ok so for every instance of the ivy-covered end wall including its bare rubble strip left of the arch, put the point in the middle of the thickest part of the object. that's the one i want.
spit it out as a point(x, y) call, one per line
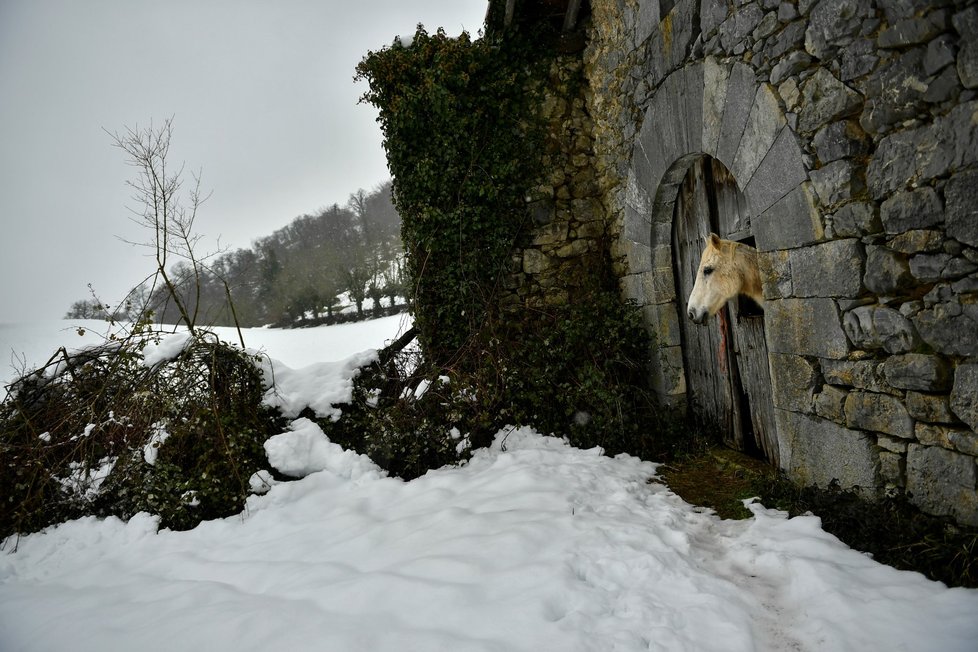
point(514, 293)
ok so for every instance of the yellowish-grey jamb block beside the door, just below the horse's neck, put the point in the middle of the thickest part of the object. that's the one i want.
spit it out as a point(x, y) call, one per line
point(805, 327)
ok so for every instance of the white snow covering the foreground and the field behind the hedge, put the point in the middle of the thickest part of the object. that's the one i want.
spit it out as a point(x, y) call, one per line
point(532, 545)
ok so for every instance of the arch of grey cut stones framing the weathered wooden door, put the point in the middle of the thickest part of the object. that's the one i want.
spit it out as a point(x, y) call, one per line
point(719, 110)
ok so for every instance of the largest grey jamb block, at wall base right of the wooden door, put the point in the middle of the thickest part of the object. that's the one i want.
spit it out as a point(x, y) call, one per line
point(822, 452)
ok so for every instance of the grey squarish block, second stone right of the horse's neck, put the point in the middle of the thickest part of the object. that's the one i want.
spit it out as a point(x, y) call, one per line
point(831, 269)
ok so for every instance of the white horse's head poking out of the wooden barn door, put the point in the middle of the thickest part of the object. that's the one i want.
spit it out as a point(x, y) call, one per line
point(726, 270)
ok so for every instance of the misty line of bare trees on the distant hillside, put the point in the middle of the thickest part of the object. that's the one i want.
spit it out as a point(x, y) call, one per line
point(340, 263)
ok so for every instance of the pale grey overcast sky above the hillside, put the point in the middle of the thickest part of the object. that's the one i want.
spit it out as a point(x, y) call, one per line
point(262, 99)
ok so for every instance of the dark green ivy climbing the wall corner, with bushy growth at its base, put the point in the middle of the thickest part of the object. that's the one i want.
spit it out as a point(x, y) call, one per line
point(465, 140)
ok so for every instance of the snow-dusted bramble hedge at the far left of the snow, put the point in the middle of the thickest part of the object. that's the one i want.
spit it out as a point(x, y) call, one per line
point(98, 432)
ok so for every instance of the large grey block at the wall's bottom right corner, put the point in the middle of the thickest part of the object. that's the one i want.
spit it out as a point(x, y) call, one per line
point(943, 482)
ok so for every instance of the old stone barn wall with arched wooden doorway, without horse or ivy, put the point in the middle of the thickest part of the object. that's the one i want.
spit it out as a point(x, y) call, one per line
point(841, 140)
